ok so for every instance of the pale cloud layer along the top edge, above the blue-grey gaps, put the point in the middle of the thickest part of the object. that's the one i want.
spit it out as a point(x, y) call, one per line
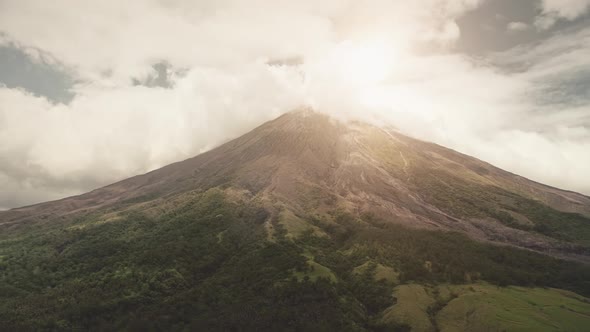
point(112, 41)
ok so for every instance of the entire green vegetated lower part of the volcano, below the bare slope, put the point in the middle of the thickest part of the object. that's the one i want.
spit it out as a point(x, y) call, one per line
point(207, 264)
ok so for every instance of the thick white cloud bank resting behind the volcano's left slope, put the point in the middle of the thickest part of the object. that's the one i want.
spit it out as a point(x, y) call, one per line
point(107, 134)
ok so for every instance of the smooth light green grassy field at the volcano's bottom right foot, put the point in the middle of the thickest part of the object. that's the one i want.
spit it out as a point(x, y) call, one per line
point(483, 307)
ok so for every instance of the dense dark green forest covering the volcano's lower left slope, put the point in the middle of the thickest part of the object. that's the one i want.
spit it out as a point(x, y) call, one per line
point(172, 272)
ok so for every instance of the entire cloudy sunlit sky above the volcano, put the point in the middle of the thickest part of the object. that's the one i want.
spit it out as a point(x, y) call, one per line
point(92, 92)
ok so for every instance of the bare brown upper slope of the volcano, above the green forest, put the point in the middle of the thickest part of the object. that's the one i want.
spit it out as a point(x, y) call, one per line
point(311, 164)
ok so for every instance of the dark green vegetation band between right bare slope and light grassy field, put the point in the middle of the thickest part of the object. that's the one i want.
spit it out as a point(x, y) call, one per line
point(434, 256)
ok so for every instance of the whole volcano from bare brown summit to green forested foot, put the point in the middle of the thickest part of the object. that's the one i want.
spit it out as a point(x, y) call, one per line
point(305, 223)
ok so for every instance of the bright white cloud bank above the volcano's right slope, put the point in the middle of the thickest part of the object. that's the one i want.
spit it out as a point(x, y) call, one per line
point(525, 110)
